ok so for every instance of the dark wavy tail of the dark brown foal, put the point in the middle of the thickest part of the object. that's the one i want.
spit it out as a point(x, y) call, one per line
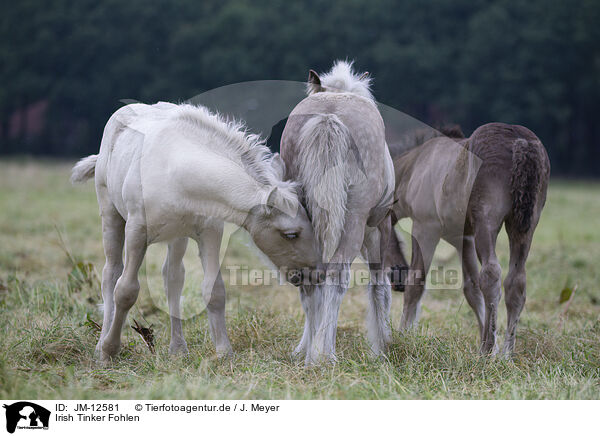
point(525, 181)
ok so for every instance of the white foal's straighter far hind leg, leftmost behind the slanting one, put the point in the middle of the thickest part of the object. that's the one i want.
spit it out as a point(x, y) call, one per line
point(113, 227)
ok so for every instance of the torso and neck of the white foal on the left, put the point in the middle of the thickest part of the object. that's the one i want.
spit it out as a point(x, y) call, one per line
point(172, 165)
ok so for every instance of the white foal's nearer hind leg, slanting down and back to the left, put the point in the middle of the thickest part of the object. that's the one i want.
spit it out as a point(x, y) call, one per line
point(128, 285)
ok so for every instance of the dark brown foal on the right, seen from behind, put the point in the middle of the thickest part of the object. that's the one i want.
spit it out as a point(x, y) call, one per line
point(463, 190)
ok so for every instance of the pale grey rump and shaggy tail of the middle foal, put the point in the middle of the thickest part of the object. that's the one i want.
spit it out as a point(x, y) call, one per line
point(341, 159)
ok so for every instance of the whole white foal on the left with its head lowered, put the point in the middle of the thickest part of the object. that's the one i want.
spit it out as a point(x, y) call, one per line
point(171, 172)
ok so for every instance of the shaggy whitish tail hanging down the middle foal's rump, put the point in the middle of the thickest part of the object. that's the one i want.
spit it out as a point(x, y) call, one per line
point(325, 143)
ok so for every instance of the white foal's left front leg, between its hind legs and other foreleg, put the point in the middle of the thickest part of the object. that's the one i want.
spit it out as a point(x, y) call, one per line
point(173, 276)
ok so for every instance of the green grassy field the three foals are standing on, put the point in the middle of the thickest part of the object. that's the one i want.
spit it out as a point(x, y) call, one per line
point(50, 232)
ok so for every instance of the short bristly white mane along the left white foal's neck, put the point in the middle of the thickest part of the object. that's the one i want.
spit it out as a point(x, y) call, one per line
point(233, 141)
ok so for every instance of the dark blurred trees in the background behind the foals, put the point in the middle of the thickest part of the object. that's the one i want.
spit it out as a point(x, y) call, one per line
point(65, 64)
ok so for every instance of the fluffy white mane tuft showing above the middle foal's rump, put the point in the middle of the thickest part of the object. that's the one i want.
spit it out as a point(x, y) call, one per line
point(342, 78)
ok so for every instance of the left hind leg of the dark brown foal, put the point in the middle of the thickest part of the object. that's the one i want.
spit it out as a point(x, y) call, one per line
point(489, 282)
